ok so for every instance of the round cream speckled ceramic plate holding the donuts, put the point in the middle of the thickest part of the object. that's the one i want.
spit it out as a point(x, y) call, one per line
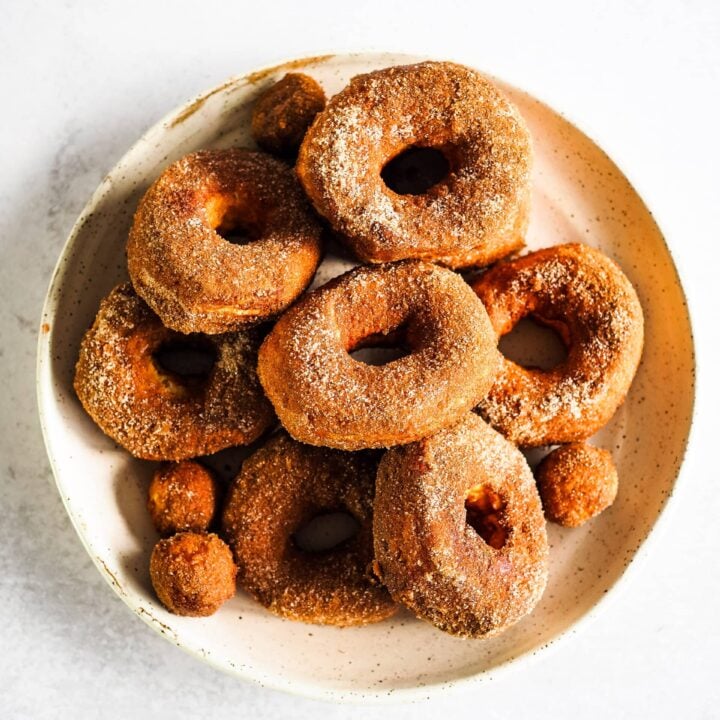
point(579, 195)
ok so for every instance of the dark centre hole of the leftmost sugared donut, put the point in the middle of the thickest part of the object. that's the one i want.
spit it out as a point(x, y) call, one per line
point(187, 360)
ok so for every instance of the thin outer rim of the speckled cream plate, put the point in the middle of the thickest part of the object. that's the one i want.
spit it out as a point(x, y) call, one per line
point(316, 690)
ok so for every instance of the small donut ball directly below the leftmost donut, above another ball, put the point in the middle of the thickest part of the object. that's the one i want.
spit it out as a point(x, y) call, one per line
point(182, 496)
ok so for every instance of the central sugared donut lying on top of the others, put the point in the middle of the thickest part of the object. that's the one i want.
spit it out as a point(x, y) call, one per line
point(323, 396)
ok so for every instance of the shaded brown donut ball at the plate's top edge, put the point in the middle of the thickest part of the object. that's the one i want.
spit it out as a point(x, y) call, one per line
point(284, 112)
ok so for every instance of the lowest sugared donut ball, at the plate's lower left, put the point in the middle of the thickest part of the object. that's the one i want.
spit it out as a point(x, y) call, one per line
point(193, 573)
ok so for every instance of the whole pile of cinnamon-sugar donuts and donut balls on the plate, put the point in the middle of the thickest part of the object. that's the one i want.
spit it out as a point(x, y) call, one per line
point(421, 172)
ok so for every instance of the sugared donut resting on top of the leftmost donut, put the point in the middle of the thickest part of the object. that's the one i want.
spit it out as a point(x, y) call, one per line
point(195, 279)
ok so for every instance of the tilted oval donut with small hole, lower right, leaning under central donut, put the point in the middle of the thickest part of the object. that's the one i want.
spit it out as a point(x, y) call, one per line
point(460, 537)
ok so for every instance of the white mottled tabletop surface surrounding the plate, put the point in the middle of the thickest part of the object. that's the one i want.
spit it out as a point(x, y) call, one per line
point(80, 81)
